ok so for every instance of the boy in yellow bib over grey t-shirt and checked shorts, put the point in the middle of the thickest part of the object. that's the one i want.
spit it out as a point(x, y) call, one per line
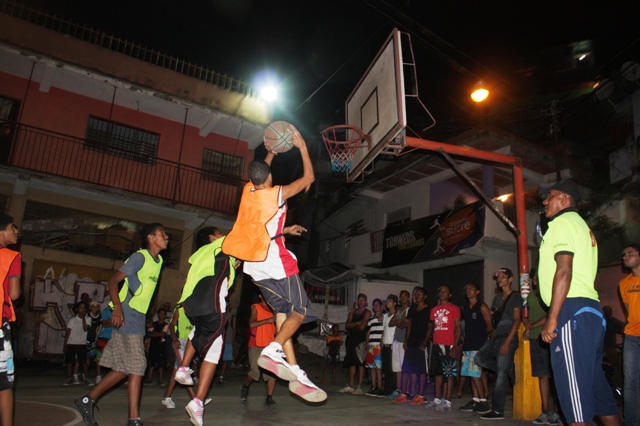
point(124, 353)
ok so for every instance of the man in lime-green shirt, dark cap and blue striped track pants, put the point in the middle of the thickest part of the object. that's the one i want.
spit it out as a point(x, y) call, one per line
point(575, 323)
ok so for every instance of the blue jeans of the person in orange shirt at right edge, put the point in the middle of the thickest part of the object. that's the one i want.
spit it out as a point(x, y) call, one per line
point(631, 369)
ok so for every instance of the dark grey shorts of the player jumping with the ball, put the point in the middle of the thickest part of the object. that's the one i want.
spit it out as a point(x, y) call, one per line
point(287, 295)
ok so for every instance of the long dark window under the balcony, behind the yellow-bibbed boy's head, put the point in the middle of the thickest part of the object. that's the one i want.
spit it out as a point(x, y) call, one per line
point(61, 228)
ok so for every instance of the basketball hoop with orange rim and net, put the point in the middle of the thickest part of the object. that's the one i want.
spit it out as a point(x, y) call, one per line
point(342, 142)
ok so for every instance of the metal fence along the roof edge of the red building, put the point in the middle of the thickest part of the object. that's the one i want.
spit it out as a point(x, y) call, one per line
point(116, 44)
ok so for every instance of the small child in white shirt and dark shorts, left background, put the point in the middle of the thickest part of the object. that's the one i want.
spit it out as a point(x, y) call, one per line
point(75, 345)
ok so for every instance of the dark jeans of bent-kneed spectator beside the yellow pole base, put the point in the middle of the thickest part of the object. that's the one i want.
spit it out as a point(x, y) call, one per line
point(489, 357)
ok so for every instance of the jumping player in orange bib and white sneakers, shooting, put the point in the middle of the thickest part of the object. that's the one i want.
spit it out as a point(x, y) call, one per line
point(257, 237)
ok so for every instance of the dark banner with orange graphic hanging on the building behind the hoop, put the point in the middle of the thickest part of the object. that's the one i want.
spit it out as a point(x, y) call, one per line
point(434, 236)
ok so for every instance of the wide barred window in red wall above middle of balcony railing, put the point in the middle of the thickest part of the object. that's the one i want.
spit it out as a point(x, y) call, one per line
point(122, 141)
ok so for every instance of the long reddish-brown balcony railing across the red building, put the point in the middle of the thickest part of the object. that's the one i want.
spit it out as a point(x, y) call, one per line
point(56, 154)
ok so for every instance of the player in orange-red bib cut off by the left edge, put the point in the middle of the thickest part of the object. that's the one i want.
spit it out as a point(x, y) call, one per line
point(10, 271)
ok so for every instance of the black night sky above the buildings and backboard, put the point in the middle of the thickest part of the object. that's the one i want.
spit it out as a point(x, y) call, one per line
point(319, 49)
